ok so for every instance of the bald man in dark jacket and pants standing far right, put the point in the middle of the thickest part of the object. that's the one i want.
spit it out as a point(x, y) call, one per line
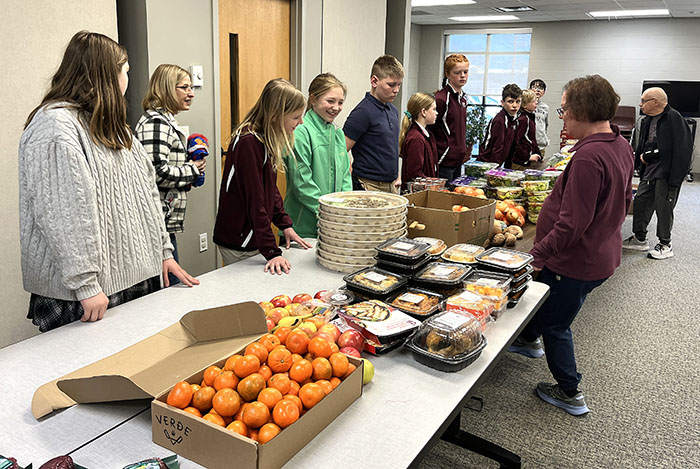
point(664, 148)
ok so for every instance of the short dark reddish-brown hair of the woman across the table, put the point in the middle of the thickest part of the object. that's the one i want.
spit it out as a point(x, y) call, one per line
point(591, 99)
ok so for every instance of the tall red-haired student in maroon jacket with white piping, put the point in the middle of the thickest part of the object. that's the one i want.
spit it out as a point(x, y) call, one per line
point(450, 128)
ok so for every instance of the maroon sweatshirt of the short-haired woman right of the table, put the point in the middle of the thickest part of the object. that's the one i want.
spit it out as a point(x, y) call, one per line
point(579, 227)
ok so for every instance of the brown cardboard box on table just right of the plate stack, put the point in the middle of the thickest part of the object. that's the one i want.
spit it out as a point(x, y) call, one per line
point(434, 210)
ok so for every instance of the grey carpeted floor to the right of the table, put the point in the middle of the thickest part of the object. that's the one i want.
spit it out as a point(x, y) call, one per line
point(637, 348)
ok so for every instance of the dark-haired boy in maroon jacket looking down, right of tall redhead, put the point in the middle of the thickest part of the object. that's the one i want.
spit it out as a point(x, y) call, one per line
point(500, 133)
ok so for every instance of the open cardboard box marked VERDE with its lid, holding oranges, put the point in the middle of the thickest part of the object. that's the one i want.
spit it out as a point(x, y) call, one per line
point(182, 352)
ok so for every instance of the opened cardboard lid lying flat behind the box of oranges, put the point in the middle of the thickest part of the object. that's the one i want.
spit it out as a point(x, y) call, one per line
point(153, 365)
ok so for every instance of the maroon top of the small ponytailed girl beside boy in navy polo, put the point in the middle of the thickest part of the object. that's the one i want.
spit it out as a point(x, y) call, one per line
point(419, 155)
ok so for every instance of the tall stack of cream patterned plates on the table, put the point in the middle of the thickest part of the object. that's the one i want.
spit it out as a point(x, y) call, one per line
point(352, 224)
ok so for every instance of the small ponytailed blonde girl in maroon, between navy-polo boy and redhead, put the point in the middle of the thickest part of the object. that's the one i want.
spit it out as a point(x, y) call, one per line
point(418, 149)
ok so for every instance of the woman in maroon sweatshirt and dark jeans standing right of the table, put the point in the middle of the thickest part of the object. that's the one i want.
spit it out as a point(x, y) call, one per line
point(578, 242)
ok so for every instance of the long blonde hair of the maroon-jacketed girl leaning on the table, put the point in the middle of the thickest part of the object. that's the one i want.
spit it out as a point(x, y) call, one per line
point(266, 119)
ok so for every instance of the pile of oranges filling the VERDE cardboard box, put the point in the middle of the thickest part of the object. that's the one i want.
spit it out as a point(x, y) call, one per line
point(269, 387)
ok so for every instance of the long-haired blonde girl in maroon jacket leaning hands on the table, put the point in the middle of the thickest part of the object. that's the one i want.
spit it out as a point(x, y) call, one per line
point(249, 200)
